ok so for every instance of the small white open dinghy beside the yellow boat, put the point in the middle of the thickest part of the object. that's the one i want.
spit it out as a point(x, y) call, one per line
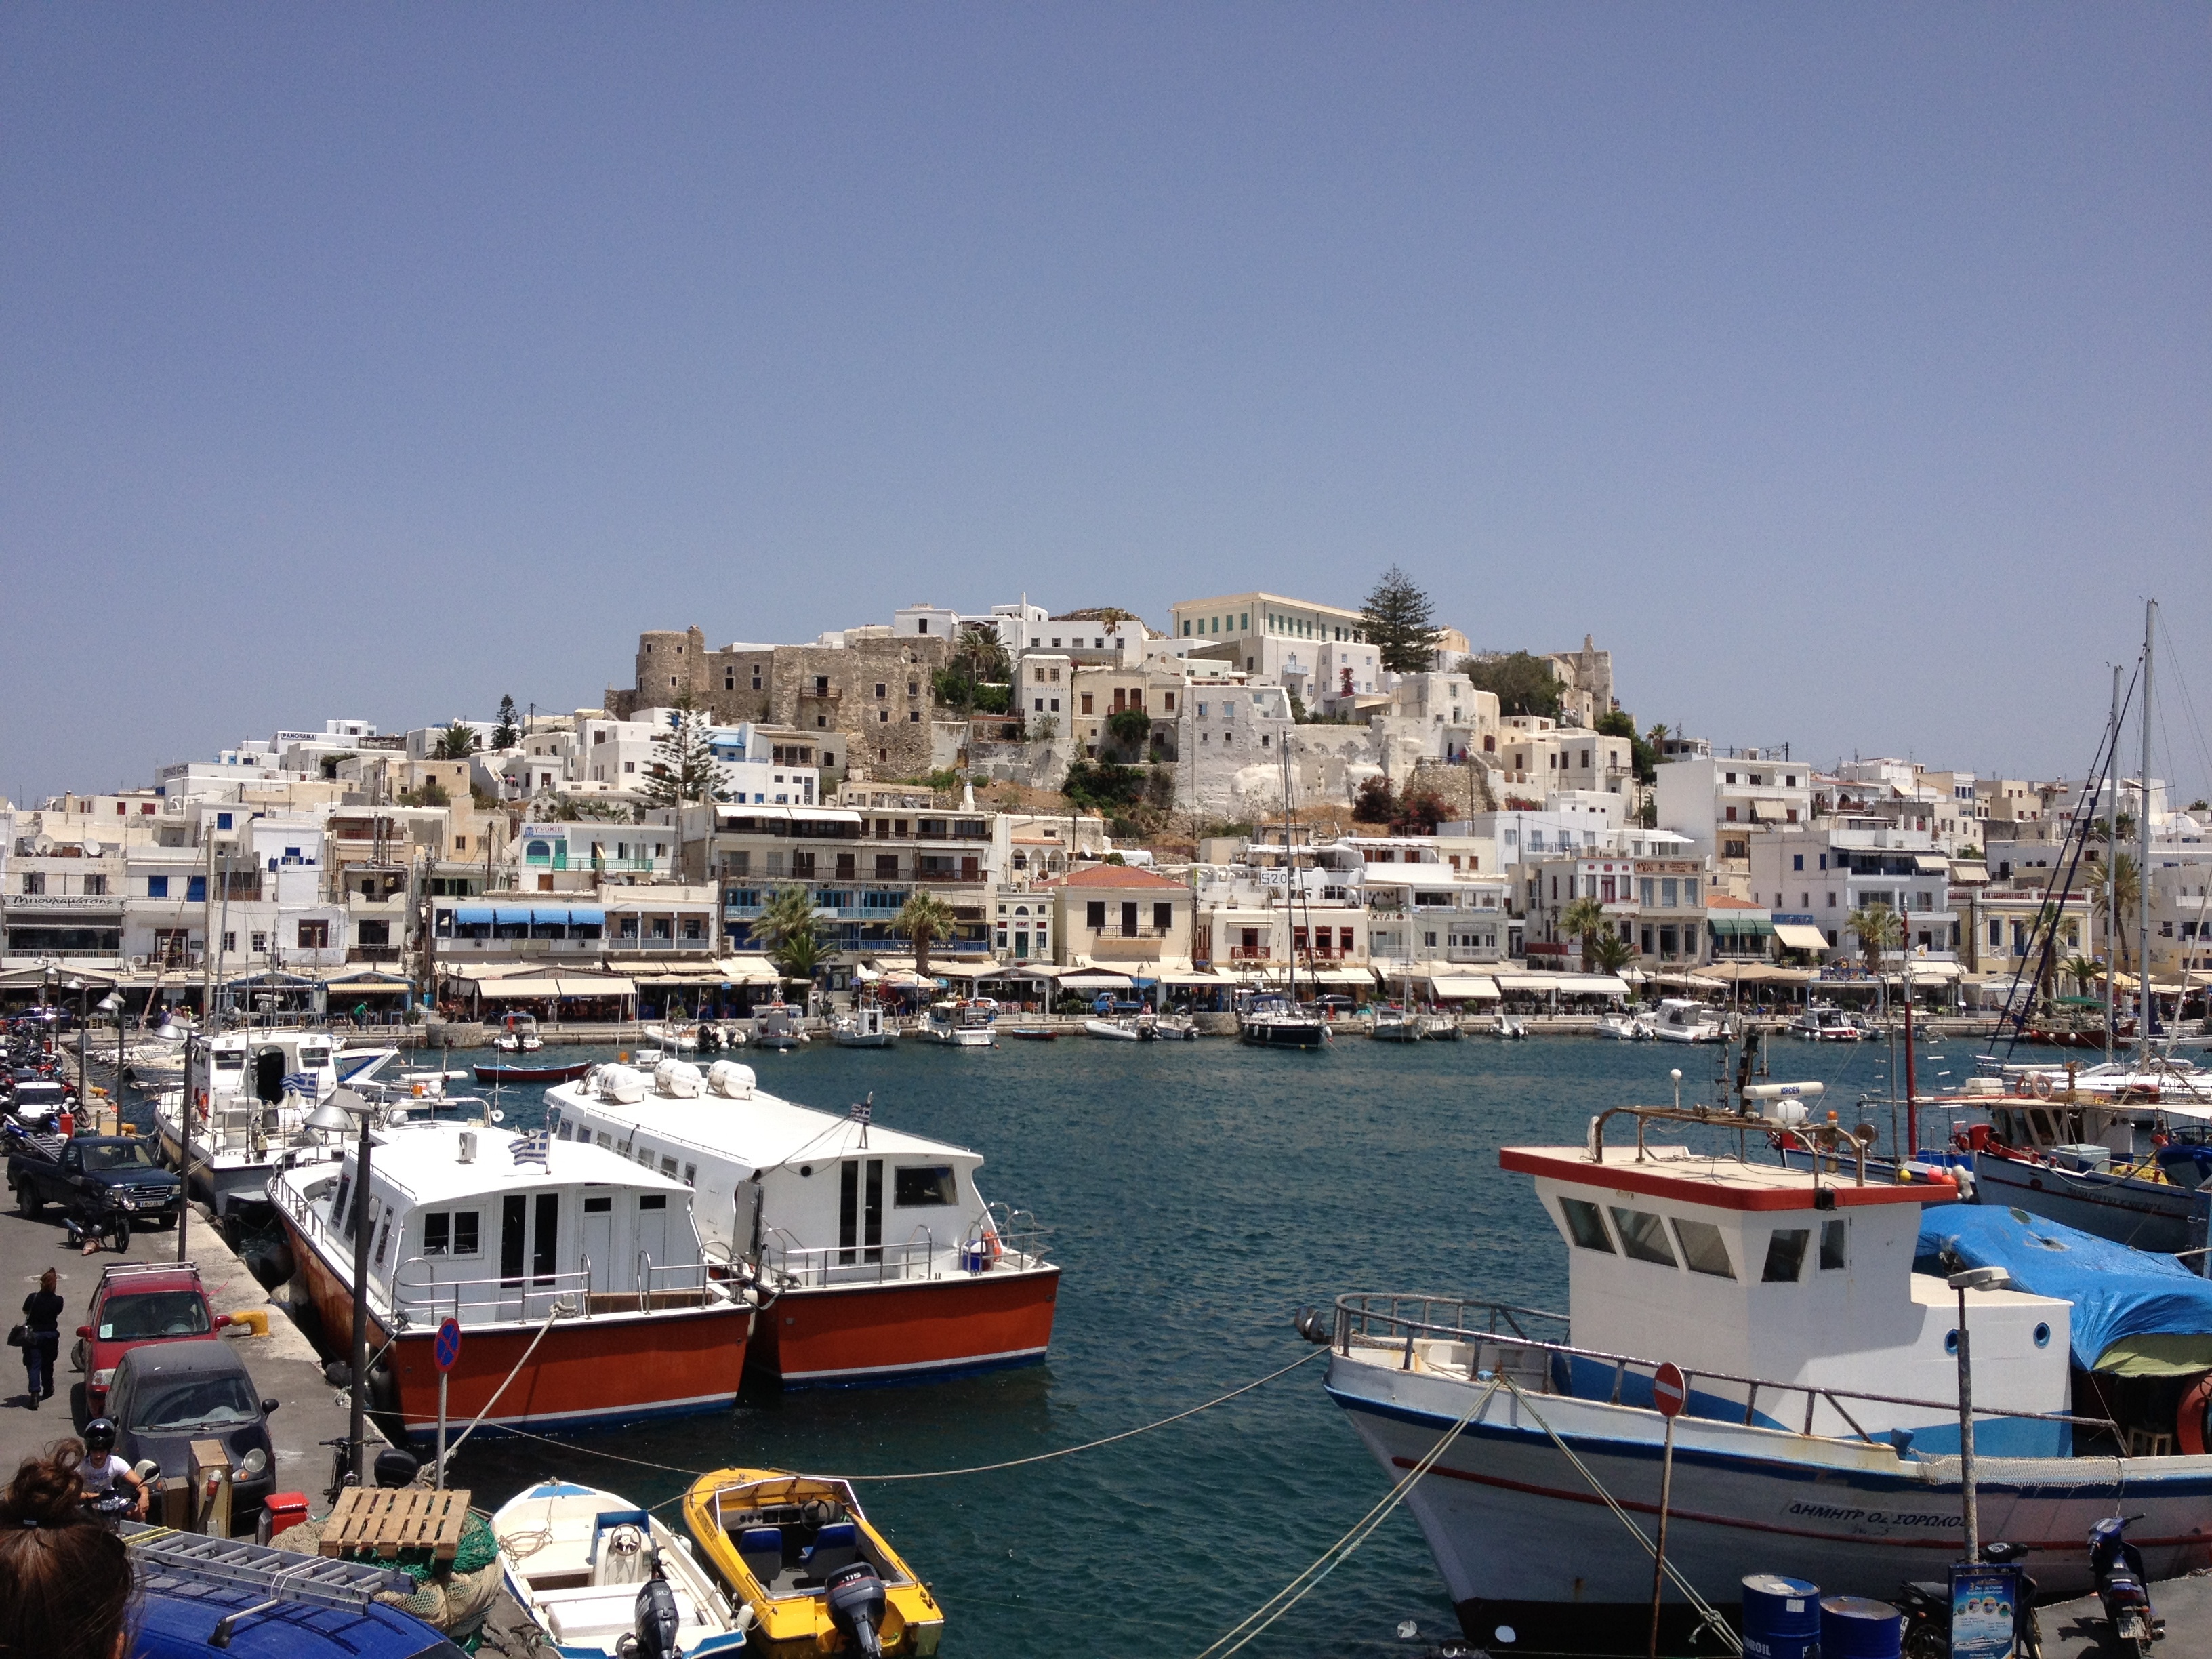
point(581, 1563)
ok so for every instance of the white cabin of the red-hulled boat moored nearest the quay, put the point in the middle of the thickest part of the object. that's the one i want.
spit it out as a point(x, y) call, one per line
point(477, 1224)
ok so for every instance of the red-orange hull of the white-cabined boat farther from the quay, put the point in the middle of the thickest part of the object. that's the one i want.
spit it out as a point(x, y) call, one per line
point(877, 1333)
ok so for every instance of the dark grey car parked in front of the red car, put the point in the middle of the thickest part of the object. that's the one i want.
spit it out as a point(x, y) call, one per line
point(171, 1395)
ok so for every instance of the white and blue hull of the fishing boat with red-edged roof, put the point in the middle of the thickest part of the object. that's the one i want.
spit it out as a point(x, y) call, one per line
point(1523, 1538)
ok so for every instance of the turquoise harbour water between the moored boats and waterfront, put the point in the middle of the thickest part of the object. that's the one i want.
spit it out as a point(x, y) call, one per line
point(1200, 1193)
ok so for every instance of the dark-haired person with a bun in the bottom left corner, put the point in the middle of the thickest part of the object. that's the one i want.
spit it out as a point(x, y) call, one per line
point(65, 1580)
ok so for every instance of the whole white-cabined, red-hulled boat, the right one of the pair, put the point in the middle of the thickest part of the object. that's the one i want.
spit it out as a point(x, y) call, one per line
point(879, 1255)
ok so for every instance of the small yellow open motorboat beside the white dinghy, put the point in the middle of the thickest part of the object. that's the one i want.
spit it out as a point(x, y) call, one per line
point(806, 1561)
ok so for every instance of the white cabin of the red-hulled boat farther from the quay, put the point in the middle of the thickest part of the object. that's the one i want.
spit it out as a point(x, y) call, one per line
point(815, 1198)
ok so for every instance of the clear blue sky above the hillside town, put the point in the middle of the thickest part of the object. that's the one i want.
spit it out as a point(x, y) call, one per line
point(1841, 368)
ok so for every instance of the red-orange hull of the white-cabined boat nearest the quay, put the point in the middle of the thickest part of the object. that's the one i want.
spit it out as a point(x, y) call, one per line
point(609, 1366)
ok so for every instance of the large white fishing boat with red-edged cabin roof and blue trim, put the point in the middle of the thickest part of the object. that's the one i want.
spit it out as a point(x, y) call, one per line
point(1822, 1401)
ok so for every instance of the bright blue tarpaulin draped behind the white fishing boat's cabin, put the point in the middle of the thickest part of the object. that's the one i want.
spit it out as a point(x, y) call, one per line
point(2131, 1311)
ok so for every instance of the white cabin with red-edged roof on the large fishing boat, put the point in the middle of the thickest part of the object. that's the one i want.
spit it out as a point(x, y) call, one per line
point(1784, 1275)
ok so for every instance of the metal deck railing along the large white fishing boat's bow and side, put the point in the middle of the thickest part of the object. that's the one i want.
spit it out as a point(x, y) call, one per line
point(1377, 1324)
